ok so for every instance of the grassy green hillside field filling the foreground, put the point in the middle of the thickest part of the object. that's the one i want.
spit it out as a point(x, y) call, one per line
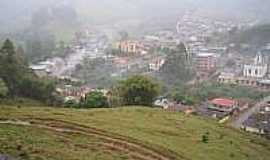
point(122, 133)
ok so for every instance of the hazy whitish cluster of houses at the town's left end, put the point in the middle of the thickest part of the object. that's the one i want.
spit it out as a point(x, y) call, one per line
point(87, 43)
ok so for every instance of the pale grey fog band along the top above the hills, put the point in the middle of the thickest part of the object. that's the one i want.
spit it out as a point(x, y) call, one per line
point(13, 12)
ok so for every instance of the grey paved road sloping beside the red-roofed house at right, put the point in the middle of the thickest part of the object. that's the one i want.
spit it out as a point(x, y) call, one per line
point(237, 123)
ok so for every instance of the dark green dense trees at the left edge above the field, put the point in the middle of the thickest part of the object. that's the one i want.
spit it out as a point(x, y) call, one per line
point(19, 79)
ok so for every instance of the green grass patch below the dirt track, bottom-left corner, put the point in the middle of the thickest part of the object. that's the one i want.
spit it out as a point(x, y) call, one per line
point(31, 143)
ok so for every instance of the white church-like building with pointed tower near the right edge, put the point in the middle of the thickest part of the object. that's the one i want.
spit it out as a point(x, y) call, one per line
point(256, 70)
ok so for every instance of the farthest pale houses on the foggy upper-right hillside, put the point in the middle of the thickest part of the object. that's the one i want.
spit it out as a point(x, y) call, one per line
point(194, 26)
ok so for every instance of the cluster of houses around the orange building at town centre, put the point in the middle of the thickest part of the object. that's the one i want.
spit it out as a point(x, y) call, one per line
point(141, 57)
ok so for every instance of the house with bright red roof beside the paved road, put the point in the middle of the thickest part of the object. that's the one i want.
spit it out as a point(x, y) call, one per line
point(223, 104)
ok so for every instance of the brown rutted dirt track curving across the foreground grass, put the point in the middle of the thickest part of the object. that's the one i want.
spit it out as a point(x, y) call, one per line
point(134, 148)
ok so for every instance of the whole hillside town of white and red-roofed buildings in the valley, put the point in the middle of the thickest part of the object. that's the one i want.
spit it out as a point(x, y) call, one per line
point(147, 55)
